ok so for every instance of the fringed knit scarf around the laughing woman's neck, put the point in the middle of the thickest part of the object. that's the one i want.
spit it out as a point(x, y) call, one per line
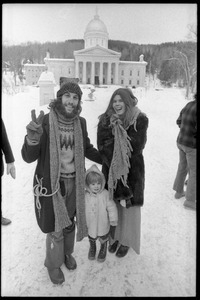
point(120, 163)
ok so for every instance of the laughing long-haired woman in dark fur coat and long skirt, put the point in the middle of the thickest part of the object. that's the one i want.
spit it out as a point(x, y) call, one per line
point(121, 138)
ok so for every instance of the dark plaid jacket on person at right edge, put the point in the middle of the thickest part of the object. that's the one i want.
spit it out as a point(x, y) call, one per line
point(187, 121)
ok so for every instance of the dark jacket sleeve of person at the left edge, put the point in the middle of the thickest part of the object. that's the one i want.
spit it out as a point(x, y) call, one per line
point(5, 148)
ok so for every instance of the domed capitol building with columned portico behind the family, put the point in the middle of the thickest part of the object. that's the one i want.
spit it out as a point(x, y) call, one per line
point(95, 64)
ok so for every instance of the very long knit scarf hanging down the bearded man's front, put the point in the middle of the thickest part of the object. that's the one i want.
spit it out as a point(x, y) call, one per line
point(62, 219)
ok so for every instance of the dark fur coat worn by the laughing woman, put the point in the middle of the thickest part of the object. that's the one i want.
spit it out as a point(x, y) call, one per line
point(136, 176)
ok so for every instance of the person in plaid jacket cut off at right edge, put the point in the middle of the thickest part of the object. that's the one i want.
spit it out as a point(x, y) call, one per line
point(186, 143)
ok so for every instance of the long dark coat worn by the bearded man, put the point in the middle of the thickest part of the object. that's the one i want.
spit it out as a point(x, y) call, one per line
point(41, 153)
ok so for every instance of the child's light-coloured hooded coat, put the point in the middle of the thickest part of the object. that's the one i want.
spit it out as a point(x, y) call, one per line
point(100, 210)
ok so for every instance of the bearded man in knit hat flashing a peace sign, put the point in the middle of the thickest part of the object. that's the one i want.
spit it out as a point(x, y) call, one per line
point(59, 142)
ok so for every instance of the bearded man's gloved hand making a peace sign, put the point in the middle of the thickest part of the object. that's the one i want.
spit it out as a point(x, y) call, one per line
point(34, 128)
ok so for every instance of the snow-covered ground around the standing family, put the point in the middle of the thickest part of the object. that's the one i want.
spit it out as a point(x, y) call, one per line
point(166, 265)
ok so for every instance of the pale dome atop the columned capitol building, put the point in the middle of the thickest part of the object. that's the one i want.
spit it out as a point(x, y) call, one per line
point(96, 33)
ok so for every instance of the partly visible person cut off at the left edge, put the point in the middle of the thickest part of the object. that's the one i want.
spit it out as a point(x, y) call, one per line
point(6, 152)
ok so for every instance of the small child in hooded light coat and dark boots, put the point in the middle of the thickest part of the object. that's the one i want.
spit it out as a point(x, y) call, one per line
point(101, 212)
